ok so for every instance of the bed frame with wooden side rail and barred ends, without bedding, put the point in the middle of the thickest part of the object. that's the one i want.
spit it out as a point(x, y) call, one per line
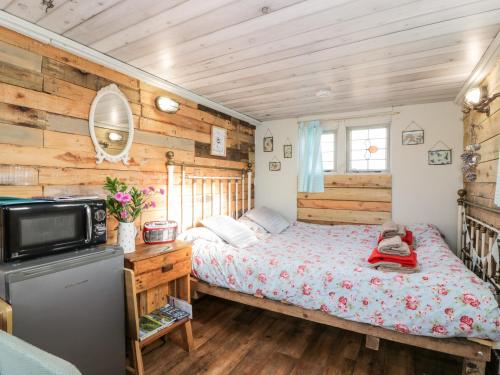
point(477, 243)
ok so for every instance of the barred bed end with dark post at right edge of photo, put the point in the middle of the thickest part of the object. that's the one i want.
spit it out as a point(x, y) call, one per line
point(477, 241)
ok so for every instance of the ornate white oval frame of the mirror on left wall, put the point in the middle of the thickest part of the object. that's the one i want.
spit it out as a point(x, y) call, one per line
point(101, 154)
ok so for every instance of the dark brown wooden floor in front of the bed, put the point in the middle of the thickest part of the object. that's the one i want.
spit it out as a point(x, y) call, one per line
point(231, 338)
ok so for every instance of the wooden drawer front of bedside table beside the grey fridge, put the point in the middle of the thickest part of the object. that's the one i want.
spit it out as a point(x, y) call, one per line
point(164, 274)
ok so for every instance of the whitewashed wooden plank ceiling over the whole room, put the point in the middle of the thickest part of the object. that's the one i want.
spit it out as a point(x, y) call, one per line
point(270, 58)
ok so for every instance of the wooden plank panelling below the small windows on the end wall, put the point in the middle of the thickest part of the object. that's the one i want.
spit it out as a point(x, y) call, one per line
point(353, 199)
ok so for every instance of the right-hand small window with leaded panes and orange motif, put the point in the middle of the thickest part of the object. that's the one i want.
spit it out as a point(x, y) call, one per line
point(368, 149)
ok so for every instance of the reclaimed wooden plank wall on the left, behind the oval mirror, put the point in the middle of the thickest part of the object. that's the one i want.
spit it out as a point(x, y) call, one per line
point(45, 96)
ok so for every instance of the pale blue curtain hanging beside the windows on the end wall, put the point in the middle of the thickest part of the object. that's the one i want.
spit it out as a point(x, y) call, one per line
point(310, 162)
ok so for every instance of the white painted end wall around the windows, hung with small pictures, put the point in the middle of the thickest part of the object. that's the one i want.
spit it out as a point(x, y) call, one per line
point(421, 192)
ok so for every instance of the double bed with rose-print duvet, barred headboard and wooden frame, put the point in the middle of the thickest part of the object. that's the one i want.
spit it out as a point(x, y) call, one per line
point(320, 273)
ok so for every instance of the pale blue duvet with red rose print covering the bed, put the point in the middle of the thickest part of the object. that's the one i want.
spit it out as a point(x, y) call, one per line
point(324, 267)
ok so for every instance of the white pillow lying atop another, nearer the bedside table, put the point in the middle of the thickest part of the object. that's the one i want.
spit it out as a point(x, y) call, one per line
point(231, 231)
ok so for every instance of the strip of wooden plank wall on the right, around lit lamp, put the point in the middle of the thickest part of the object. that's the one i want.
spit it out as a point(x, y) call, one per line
point(482, 191)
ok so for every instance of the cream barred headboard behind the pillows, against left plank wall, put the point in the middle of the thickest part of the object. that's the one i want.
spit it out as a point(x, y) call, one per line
point(195, 192)
